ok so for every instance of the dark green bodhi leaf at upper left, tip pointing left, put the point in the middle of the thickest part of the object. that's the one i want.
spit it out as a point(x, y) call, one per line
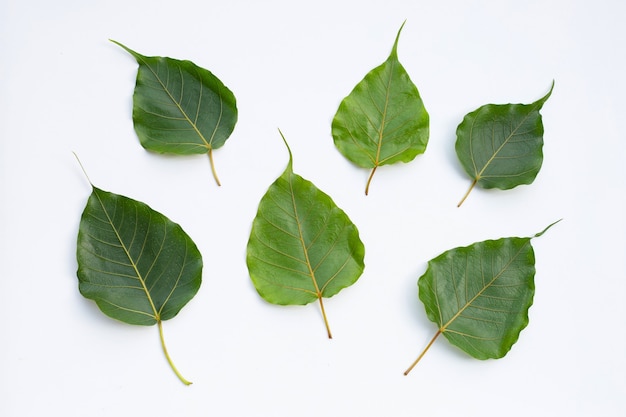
point(181, 108)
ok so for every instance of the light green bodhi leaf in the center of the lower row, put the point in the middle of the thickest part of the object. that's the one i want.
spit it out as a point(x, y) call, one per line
point(302, 247)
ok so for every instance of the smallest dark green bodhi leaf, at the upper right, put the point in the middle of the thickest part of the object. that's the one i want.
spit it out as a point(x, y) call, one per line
point(500, 145)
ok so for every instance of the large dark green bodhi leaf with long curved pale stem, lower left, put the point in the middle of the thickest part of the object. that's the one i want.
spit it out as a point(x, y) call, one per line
point(136, 264)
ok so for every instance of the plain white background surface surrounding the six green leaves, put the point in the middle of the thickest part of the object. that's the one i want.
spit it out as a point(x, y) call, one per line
point(64, 87)
